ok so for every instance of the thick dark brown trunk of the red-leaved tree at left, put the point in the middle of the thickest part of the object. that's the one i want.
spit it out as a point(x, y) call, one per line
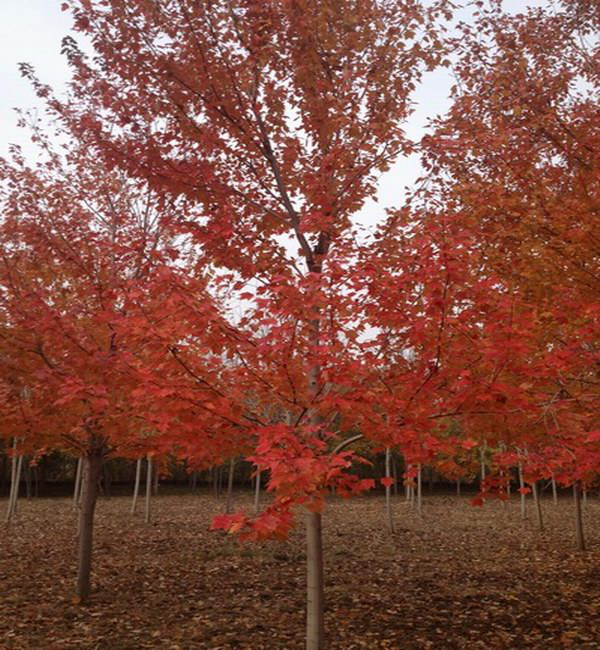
point(92, 466)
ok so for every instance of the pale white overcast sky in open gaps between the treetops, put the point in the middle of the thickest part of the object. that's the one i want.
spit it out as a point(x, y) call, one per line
point(31, 31)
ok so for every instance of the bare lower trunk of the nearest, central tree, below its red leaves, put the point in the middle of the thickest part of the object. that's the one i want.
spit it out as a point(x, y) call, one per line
point(315, 596)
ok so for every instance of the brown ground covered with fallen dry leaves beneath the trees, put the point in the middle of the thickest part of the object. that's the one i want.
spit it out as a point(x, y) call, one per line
point(457, 577)
